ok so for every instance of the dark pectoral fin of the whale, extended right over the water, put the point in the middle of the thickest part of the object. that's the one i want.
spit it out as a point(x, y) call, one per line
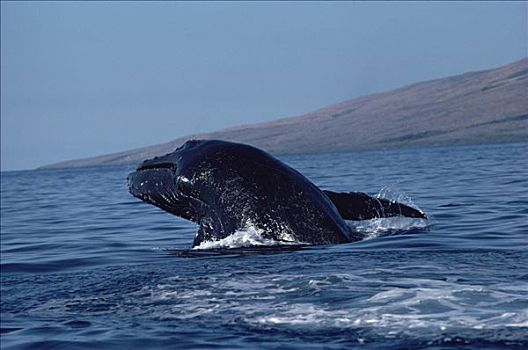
point(361, 206)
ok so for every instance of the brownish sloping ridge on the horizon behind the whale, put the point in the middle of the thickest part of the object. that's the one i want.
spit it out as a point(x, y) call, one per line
point(488, 106)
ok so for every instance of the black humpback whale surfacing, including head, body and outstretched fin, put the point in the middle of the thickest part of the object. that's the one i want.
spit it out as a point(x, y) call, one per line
point(225, 187)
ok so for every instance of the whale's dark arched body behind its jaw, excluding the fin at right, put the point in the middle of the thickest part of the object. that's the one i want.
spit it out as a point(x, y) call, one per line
point(240, 186)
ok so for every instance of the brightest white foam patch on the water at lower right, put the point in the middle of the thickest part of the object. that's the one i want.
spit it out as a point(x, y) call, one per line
point(438, 308)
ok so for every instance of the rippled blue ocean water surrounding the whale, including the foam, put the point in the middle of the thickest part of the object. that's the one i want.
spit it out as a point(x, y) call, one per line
point(84, 265)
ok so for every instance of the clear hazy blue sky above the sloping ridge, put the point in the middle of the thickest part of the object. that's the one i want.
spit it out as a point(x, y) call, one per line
point(81, 79)
